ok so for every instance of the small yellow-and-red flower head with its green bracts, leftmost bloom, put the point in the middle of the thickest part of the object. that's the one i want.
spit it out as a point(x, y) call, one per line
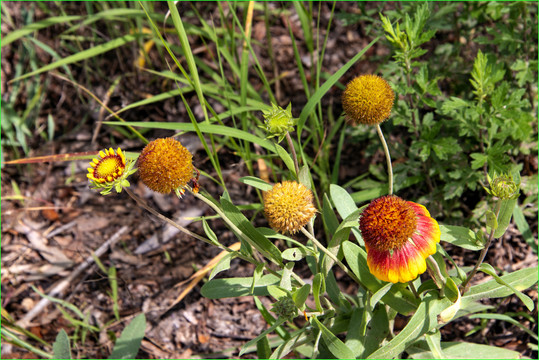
point(109, 171)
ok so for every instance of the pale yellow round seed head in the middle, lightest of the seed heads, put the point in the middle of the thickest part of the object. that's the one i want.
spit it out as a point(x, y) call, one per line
point(289, 206)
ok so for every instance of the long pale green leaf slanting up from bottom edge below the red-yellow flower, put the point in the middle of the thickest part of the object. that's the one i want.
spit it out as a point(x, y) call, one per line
point(424, 320)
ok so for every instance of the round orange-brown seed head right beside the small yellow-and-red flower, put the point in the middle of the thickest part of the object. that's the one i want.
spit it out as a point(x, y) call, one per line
point(165, 165)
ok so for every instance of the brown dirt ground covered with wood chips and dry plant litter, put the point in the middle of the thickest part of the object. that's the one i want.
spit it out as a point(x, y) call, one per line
point(59, 221)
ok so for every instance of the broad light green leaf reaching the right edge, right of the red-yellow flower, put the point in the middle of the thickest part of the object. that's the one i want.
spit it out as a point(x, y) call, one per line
point(520, 280)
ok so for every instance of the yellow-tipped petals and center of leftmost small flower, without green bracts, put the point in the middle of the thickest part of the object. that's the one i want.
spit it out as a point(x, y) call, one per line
point(109, 167)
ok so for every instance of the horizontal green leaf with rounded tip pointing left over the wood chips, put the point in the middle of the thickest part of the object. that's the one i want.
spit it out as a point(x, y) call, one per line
point(235, 287)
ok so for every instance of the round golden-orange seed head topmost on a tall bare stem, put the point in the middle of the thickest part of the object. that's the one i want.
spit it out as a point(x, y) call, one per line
point(368, 100)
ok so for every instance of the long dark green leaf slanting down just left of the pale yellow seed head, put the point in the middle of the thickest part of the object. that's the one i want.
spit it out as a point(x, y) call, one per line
point(252, 235)
